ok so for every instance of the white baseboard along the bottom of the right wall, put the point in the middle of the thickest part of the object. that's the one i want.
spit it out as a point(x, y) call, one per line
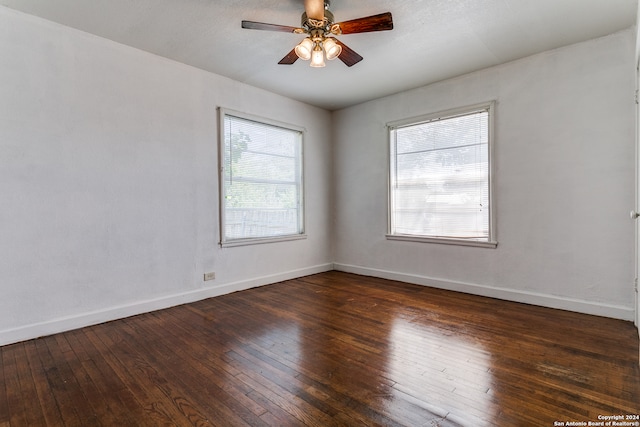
point(545, 300)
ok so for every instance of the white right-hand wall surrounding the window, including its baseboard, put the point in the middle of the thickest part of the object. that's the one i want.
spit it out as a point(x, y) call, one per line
point(564, 182)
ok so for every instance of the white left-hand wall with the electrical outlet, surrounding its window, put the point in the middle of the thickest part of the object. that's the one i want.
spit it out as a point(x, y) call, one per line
point(108, 182)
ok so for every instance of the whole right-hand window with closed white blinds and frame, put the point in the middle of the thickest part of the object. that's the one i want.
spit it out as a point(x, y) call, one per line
point(440, 171)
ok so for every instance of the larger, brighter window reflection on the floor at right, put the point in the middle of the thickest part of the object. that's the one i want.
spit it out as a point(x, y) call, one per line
point(445, 373)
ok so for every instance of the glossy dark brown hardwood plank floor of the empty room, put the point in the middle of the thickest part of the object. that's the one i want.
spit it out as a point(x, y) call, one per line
point(325, 350)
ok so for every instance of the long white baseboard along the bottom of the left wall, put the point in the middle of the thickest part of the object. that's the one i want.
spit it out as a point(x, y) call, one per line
point(63, 324)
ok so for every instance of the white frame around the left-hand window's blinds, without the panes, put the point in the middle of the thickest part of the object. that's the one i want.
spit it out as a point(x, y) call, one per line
point(230, 242)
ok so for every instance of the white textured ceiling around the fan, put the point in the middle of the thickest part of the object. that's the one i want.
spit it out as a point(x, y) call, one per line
point(431, 40)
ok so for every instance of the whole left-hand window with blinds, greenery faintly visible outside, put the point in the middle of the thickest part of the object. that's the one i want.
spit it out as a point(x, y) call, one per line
point(260, 180)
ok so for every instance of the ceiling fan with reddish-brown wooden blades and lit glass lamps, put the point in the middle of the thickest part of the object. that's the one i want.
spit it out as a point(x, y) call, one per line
point(318, 25)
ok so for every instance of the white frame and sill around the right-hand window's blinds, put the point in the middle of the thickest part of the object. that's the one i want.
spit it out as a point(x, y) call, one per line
point(491, 241)
